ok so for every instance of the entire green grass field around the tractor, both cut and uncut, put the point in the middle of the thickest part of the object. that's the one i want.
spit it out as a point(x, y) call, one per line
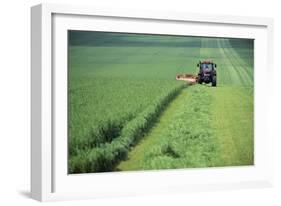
point(127, 112)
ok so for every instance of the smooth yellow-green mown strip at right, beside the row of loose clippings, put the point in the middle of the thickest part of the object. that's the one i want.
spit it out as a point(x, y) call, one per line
point(233, 125)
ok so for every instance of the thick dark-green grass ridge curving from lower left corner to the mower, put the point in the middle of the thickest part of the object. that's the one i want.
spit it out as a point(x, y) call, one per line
point(105, 157)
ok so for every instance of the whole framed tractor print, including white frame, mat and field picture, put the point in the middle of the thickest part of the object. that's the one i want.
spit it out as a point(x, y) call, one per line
point(137, 102)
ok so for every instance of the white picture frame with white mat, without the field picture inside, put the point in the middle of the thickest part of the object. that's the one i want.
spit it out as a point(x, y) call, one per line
point(49, 178)
